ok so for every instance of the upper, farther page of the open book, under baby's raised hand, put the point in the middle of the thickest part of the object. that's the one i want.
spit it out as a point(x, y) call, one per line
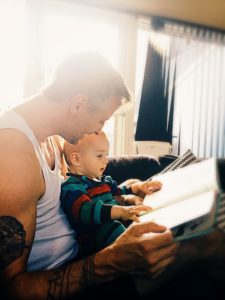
point(184, 183)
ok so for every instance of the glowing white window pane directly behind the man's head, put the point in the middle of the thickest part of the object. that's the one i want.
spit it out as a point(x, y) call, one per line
point(64, 35)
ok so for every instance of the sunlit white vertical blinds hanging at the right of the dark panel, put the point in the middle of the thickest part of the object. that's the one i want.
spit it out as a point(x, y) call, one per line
point(193, 72)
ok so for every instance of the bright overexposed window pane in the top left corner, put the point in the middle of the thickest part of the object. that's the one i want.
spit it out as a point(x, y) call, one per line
point(12, 36)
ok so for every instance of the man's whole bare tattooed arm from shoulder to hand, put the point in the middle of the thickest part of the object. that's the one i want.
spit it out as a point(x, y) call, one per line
point(21, 185)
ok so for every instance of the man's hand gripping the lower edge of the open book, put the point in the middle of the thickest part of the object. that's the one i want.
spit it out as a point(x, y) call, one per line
point(144, 248)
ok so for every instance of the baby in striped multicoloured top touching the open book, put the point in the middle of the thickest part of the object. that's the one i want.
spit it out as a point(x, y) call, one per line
point(89, 198)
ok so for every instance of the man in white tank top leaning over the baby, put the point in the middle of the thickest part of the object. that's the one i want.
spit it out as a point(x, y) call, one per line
point(34, 233)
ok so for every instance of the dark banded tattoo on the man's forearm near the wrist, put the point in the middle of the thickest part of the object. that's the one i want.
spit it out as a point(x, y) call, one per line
point(64, 281)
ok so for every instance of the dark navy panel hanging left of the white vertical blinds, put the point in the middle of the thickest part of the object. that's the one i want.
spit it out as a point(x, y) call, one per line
point(155, 116)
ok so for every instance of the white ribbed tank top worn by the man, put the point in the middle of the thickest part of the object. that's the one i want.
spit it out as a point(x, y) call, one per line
point(54, 241)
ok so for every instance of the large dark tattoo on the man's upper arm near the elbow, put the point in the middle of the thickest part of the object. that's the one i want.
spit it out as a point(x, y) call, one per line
point(12, 240)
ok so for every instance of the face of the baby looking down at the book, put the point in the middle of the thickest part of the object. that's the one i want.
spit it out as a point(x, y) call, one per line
point(94, 158)
